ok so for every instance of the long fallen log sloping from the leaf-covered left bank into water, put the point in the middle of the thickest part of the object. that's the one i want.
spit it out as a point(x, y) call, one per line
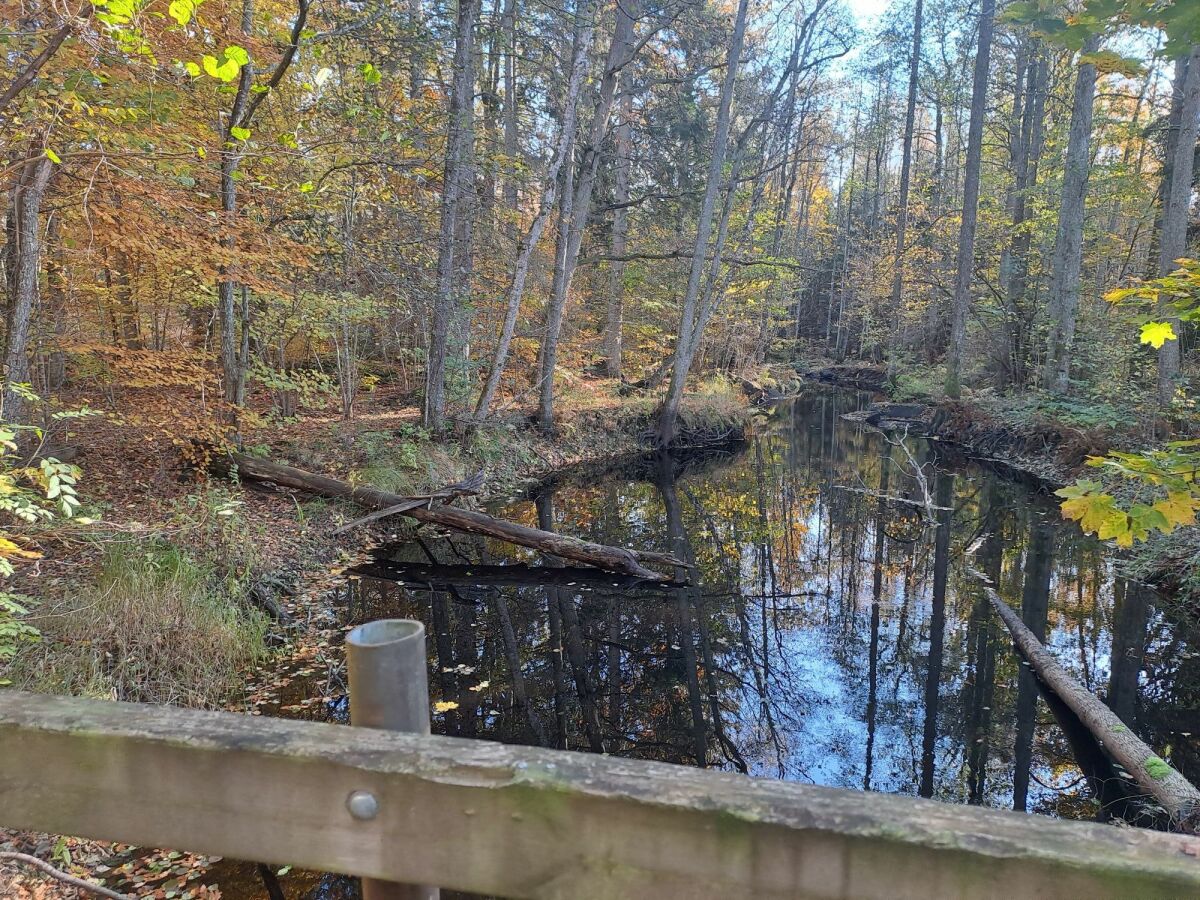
point(616, 560)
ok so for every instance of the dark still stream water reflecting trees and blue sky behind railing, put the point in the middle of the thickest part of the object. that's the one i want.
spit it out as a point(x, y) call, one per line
point(833, 635)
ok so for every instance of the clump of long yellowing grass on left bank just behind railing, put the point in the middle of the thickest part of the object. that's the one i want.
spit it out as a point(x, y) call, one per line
point(164, 620)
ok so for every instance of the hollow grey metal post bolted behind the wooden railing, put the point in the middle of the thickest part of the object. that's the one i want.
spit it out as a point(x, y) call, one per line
point(389, 691)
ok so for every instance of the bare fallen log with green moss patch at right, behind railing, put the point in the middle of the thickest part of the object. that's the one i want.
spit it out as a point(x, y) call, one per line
point(1178, 796)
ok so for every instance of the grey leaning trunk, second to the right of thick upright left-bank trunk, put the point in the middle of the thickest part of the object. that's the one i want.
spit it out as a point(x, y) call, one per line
point(581, 202)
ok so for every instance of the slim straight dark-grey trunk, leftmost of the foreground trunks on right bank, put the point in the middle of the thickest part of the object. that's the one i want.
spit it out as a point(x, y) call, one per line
point(970, 202)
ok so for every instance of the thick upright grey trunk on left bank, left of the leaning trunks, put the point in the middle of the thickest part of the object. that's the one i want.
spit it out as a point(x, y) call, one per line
point(454, 196)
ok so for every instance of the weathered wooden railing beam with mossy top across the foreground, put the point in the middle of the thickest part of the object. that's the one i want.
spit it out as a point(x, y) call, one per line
point(518, 823)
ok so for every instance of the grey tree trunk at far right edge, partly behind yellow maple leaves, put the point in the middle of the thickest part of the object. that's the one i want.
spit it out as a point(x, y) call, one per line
point(1178, 197)
